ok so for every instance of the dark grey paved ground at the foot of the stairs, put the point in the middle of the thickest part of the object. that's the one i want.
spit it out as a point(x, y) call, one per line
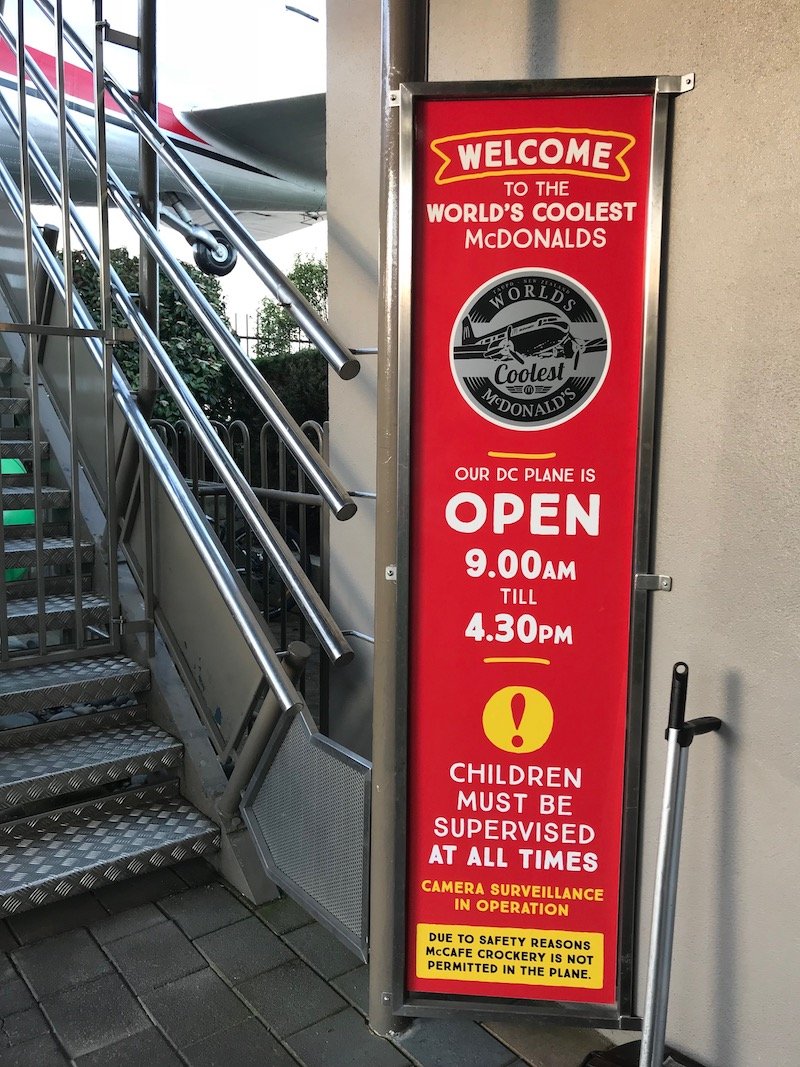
point(175, 968)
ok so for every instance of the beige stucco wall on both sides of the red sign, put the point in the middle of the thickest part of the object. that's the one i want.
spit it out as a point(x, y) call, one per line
point(728, 487)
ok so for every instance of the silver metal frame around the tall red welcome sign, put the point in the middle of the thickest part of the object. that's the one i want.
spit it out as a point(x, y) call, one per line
point(619, 1015)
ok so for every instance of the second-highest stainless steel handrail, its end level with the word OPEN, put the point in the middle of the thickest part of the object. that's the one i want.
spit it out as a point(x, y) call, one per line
point(274, 409)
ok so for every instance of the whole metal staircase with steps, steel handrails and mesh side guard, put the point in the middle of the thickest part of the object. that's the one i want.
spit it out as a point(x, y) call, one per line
point(111, 563)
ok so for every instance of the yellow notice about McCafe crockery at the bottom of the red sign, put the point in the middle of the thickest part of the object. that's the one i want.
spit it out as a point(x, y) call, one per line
point(520, 957)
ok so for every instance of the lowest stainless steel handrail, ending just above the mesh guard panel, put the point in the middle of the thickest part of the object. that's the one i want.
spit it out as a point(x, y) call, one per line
point(187, 508)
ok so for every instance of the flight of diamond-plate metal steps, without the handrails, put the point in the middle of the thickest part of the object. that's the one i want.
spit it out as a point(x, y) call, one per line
point(89, 789)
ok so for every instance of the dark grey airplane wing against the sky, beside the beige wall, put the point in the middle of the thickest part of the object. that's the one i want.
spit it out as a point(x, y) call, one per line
point(284, 138)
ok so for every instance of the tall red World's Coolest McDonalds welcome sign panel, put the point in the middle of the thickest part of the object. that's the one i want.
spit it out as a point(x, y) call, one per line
point(530, 232)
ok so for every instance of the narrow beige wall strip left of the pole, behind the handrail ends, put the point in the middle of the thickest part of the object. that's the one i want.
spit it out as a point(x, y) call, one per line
point(354, 153)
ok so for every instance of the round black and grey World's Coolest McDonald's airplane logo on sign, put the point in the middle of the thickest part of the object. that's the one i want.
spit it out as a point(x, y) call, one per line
point(531, 349)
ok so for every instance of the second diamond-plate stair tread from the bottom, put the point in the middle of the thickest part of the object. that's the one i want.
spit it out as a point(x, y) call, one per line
point(56, 768)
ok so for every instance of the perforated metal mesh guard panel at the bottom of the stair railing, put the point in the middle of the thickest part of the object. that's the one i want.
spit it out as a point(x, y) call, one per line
point(309, 809)
